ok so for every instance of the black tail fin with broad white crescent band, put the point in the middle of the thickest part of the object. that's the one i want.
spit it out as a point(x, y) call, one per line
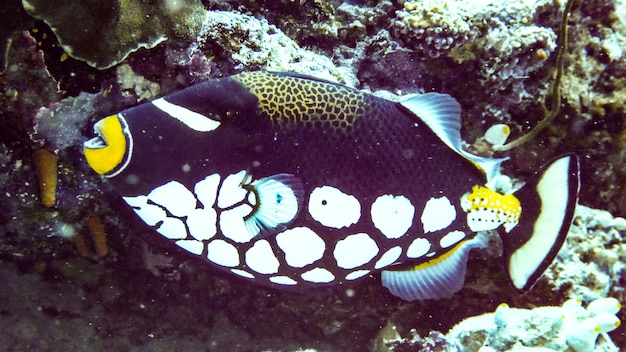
point(548, 201)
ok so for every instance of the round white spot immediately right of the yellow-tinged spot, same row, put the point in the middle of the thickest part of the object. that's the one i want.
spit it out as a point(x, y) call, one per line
point(392, 215)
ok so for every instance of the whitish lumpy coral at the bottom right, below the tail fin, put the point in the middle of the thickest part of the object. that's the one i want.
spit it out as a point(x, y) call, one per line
point(541, 328)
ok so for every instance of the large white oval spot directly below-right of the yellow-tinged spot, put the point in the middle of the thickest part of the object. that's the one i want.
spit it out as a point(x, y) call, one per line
point(355, 250)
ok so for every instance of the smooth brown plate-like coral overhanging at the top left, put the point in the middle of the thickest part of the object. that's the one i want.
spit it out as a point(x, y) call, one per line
point(104, 33)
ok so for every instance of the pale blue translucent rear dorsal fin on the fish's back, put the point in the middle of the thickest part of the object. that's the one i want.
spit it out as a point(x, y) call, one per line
point(442, 114)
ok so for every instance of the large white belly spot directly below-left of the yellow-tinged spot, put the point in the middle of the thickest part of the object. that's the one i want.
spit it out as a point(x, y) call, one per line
point(301, 245)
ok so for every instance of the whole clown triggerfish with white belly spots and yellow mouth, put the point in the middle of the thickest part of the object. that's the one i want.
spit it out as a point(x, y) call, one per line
point(289, 180)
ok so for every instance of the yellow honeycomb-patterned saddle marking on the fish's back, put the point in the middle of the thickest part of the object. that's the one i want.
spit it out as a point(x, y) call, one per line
point(292, 101)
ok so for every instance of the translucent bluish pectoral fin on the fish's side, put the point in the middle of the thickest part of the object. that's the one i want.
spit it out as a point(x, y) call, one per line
point(279, 200)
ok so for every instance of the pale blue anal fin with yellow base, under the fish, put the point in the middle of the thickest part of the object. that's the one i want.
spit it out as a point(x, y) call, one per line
point(438, 278)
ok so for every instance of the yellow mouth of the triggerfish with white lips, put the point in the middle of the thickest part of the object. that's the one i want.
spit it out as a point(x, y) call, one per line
point(109, 151)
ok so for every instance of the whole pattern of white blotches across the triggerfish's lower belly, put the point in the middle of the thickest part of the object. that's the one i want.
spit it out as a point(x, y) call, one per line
point(392, 215)
